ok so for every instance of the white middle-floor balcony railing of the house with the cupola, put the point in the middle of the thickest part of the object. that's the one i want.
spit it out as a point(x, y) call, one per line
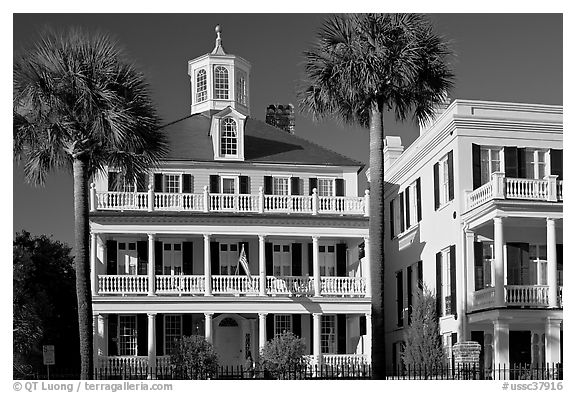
point(231, 285)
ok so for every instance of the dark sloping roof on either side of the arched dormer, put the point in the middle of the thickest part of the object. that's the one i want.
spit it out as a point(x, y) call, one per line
point(189, 139)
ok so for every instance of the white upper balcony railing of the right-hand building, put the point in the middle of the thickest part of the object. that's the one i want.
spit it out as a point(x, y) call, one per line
point(501, 187)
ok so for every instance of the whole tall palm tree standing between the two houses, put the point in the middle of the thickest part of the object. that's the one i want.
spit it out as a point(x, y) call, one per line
point(361, 66)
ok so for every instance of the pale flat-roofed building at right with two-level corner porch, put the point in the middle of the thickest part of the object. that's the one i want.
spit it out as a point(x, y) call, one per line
point(474, 210)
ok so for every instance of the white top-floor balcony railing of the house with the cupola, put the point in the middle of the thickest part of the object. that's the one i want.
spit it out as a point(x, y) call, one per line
point(237, 203)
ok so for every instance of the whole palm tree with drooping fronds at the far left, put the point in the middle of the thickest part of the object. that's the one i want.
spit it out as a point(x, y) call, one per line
point(79, 104)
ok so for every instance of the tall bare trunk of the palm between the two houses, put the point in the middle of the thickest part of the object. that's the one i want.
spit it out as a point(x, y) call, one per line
point(376, 232)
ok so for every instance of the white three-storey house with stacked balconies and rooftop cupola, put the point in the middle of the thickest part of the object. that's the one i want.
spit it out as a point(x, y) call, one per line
point(165, 250)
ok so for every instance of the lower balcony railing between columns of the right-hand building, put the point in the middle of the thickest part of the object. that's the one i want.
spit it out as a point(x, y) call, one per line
point(515, 296)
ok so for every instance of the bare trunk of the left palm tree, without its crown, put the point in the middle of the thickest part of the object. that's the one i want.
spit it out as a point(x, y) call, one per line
point(82, 264)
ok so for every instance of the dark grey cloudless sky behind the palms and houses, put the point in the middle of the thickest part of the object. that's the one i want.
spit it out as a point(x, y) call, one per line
point(500, 57)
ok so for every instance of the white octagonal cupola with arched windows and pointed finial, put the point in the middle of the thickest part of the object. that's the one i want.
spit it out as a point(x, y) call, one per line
point(219, 80)
